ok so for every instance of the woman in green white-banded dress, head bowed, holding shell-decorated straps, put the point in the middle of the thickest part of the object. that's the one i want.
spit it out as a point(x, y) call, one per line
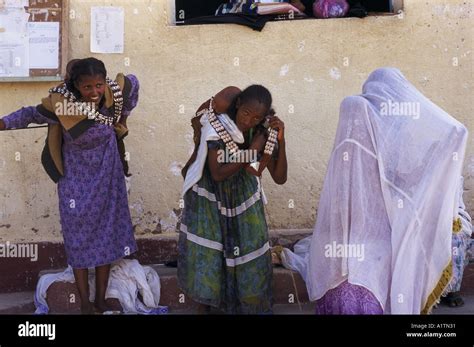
point(224, 252)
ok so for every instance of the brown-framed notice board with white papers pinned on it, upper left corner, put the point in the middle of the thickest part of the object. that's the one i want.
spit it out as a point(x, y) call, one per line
point(33, 40)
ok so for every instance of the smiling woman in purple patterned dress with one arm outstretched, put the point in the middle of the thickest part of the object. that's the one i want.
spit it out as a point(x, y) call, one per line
point(84, 154)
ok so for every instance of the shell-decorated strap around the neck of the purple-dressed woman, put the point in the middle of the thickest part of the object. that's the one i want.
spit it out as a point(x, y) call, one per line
point(90, 112)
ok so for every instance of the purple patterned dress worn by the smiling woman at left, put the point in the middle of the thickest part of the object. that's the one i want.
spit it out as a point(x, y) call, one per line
point(93, 204)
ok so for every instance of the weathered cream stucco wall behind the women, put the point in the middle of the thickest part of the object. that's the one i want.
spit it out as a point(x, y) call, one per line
point(309, 66)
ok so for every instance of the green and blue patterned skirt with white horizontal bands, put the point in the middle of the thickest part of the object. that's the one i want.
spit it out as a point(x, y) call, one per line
point(224, 253)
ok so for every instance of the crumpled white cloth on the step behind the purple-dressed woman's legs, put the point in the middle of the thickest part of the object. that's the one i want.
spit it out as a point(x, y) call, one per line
point(127, 280)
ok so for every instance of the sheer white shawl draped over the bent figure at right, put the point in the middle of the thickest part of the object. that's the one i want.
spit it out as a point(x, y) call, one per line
point(389, 198)
